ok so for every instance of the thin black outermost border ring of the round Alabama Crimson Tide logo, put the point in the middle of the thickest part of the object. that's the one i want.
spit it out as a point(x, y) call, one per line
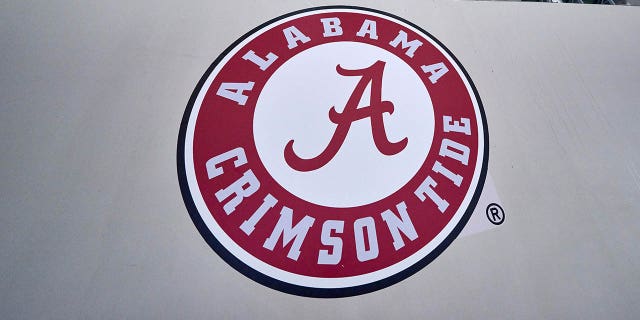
point(304, 290)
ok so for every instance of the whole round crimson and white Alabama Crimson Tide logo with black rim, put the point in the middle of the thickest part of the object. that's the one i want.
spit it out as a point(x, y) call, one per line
point(332, 151)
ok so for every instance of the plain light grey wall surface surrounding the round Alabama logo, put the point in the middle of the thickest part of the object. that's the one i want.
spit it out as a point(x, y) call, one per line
point(92, 223)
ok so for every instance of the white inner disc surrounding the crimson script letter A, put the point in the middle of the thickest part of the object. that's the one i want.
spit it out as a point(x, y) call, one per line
point(295, 103)
